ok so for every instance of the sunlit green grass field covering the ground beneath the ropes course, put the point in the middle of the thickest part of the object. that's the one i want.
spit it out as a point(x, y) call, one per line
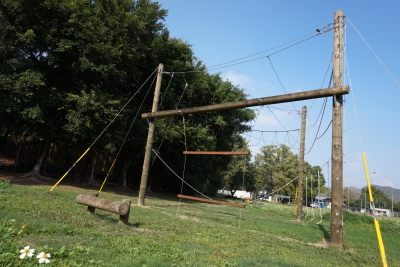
point(168, 233)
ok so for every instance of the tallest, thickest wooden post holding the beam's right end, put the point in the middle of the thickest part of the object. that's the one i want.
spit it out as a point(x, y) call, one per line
point(336, 235)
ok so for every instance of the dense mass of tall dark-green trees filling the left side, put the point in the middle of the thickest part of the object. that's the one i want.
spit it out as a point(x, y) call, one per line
point(67, 68)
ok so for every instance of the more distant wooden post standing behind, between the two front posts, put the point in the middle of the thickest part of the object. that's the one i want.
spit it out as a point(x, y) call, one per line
point(301, 164)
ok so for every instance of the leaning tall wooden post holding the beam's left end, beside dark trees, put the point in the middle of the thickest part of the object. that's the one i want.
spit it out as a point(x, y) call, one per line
point(149, 144)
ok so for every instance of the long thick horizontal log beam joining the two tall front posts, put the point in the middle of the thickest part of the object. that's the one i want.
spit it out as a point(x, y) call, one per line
point(340, 90)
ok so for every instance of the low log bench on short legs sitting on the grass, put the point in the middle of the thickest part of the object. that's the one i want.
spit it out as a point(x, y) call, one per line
point(119, 207)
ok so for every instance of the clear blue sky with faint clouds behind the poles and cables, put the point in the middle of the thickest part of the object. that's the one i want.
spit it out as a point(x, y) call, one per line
point(222, 31)
